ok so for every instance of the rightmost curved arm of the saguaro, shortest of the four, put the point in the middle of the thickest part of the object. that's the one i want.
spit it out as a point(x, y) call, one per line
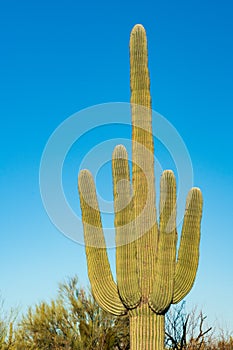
point(188, 255)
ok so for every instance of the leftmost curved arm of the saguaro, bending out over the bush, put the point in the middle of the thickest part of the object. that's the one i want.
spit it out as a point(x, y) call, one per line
point(103, 286)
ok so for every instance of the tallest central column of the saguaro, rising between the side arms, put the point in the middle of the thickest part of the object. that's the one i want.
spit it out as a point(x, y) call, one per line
point(143, 159)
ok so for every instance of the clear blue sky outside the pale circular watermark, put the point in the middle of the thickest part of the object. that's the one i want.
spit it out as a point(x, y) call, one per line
point(58, 57)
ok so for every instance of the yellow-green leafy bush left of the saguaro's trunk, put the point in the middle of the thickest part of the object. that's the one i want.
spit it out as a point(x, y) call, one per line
point(73, 321)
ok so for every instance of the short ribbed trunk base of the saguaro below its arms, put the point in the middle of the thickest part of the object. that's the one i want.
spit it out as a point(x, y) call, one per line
point(147, 331)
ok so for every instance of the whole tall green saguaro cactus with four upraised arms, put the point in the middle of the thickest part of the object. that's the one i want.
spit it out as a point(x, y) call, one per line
point(150, 277)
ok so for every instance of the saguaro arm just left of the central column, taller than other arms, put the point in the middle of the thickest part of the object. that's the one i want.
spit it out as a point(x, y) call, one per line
point(126, 263)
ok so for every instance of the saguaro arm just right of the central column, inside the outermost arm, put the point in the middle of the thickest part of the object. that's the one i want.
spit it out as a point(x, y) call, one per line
point(163, 288)
